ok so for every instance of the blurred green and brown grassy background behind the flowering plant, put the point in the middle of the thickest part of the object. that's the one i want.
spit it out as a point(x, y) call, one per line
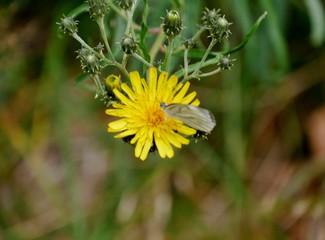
point(260, 175)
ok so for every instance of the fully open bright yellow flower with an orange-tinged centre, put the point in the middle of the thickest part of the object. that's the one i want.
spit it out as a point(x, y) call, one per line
point(142, 120)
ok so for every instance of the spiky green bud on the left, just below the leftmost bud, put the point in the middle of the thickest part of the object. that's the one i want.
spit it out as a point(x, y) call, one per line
point(89, 62)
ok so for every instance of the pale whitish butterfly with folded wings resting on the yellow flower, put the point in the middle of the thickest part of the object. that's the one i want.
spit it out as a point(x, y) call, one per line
point(198, 118)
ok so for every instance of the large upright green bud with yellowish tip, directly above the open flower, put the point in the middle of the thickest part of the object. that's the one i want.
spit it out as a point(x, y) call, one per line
point(172, 24)
